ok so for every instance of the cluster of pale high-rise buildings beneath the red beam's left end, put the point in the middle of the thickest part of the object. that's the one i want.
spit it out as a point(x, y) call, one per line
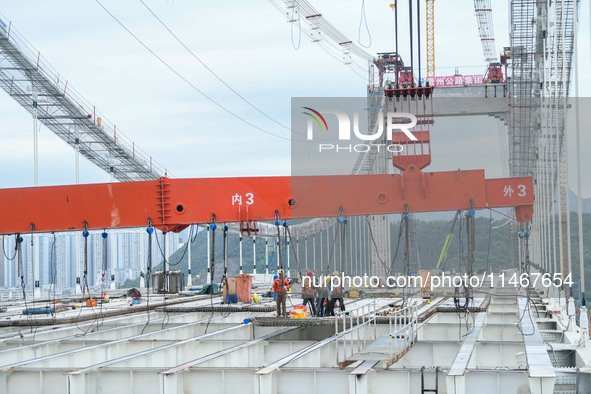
point(127, 252)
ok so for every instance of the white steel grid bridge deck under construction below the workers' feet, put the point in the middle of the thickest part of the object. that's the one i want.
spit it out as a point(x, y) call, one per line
point(503, 342)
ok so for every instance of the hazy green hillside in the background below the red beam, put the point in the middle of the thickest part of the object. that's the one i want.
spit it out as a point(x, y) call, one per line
point(431, 237)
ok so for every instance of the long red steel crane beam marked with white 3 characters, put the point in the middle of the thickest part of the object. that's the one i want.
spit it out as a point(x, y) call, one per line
point(173, 204)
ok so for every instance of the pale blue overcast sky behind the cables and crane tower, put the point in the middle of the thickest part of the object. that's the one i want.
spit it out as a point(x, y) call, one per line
point(248, 43)
